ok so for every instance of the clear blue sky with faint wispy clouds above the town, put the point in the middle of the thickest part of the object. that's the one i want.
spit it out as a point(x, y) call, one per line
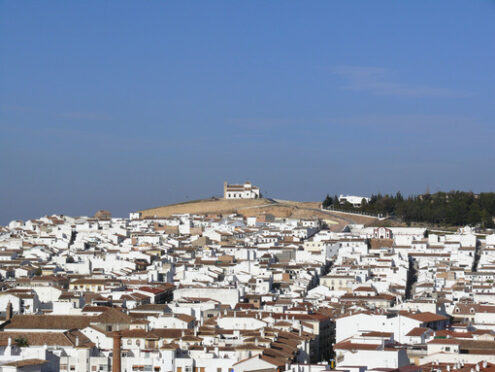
point(125, 105)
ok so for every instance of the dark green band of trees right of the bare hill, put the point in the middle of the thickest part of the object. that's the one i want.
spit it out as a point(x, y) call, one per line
point(455, 208)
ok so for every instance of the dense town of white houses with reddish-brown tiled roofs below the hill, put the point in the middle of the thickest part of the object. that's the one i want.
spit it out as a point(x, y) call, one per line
point(229, 293)
